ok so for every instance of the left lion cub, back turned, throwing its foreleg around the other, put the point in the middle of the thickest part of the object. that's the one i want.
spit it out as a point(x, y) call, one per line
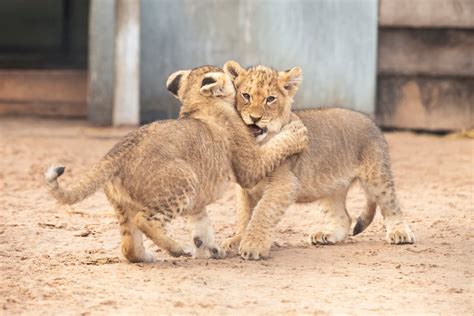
point(177, 167)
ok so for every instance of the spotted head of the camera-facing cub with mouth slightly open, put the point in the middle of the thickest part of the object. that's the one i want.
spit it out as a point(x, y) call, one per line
point(264, 96)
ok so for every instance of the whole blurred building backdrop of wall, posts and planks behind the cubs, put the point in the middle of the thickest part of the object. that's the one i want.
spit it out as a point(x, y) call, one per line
point(408, 63)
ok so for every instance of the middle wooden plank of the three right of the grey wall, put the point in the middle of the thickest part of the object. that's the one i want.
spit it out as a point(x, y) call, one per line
point(426, 52)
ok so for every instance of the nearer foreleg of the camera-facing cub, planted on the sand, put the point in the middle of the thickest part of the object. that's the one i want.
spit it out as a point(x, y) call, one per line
point(279, 194)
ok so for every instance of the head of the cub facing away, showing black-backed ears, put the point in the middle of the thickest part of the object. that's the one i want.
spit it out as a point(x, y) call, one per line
point(200, 89)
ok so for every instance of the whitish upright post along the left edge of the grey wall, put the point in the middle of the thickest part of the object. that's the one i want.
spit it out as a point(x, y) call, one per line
point(127, 63)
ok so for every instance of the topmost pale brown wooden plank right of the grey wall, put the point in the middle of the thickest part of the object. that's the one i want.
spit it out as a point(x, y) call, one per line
point(427, 13)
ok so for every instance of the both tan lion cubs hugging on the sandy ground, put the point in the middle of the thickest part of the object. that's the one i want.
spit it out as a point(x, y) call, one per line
point(178, 167)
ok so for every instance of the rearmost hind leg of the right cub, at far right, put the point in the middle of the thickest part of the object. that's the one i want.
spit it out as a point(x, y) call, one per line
point(380, 183)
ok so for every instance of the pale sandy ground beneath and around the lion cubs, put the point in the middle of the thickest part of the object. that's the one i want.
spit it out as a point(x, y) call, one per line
point(57, 260)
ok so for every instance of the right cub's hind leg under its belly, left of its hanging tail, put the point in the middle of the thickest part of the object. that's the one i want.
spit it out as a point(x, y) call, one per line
point(337, 222)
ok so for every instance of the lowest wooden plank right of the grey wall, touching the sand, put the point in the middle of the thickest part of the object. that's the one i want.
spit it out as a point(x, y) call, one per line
point(425, 103)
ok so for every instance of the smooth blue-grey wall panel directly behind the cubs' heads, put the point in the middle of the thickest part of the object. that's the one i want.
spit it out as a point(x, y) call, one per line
point(334, 41)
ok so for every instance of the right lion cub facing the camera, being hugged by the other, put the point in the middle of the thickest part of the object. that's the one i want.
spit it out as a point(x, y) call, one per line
point(344, 147)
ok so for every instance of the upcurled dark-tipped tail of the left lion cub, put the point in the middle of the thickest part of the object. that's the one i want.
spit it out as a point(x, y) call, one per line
point(90, 182)
